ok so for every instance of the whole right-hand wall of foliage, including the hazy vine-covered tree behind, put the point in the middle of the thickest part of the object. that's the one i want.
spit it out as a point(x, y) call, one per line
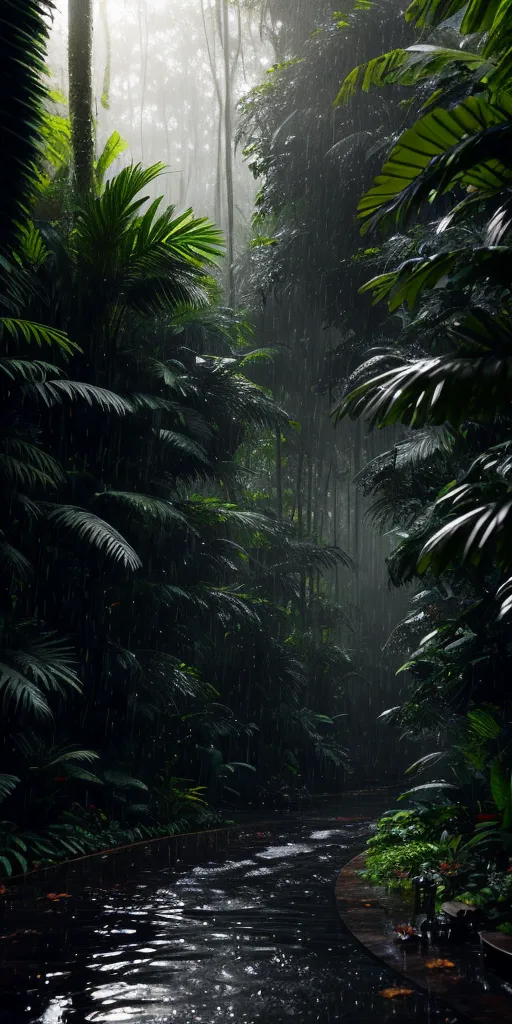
point(424, 130)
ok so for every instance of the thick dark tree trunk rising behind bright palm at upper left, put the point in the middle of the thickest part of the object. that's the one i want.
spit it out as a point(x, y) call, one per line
point(80, 73)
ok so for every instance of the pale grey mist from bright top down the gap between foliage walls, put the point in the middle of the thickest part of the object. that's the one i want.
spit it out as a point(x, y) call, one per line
point(166, 81)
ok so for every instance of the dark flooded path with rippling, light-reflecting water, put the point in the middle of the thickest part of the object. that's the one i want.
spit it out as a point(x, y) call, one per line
point(251, 938)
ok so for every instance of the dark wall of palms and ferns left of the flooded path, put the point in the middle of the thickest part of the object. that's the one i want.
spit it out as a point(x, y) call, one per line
point(167, 648)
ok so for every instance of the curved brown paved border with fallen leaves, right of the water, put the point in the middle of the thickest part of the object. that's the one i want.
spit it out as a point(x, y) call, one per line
point(370, 915)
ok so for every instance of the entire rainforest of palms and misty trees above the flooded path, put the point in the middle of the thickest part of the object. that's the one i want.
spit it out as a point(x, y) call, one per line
point(255, 428)
